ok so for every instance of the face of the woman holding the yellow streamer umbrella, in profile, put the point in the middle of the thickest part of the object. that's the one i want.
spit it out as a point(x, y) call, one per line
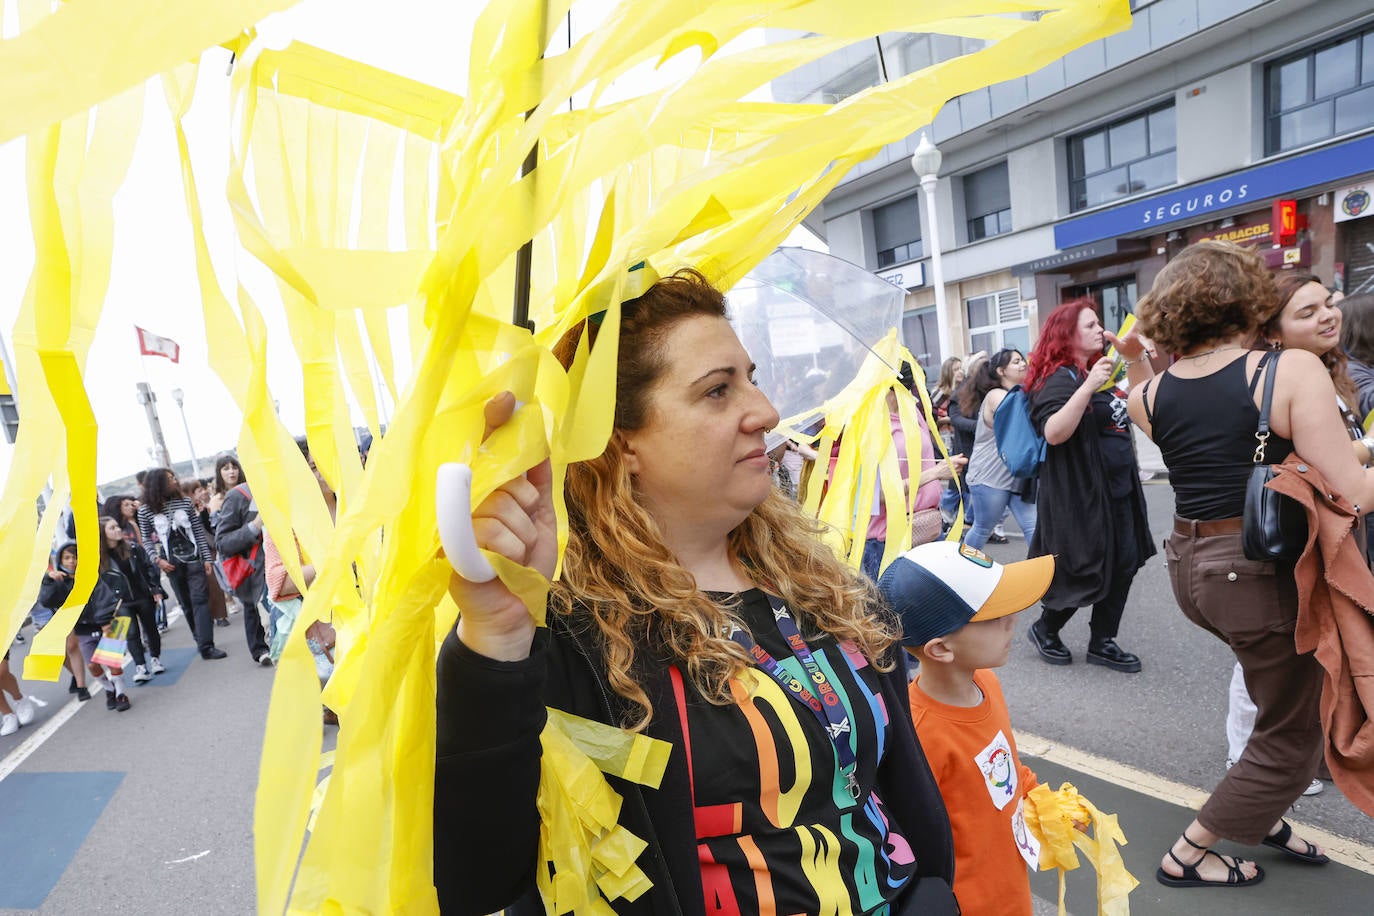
point(699, 462)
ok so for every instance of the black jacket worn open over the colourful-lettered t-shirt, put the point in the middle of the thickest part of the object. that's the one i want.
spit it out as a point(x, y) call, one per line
point(488, 766)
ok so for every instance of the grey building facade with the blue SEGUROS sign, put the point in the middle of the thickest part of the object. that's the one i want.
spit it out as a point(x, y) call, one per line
point(1085, 178)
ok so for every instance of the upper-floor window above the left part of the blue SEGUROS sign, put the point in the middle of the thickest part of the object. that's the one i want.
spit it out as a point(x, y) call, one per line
point(1123, 159)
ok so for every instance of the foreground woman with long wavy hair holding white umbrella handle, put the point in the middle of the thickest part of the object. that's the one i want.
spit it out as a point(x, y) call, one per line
point(685, 577)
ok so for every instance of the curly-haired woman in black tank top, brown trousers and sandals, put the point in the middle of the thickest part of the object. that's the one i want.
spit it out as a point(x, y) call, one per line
point(1207, 307)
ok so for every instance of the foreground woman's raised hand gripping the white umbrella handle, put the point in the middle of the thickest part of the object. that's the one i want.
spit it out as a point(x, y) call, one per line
point(517, 523)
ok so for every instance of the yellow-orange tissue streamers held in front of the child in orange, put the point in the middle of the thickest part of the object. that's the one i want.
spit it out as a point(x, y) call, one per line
point(1064, 821)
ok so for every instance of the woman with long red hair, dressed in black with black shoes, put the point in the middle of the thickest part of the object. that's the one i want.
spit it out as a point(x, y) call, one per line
point(1092, 505)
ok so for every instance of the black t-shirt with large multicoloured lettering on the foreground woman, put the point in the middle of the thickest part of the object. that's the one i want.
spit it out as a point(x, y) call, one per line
point(777, 829)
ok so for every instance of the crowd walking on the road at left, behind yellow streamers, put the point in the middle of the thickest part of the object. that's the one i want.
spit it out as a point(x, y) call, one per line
point(199, 540)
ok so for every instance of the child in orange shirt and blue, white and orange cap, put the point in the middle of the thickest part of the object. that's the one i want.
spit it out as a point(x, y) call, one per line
point(957, 608)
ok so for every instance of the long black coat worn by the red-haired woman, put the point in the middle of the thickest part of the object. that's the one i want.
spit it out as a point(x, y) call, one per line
point(1077, 510)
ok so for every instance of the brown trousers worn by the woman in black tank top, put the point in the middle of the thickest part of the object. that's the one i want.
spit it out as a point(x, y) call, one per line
point(1252, 608)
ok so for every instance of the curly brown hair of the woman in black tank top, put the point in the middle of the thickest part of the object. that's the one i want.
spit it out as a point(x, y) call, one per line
point(1210, 292)
